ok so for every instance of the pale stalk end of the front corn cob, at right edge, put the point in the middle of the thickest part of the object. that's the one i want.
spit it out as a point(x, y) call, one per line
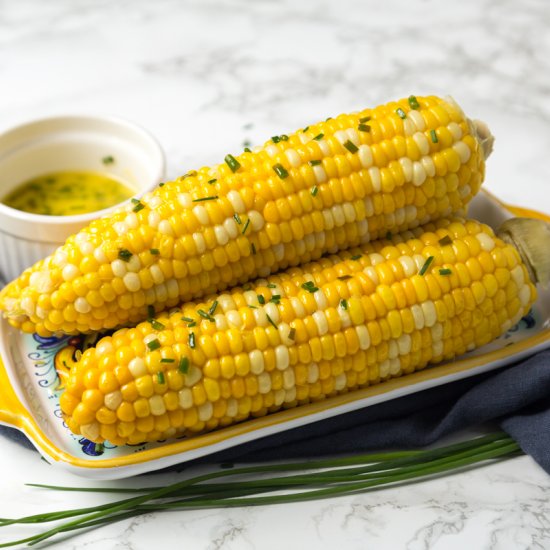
point(531, 237)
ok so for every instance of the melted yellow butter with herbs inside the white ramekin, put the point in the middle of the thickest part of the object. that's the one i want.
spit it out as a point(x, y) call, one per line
point(68, 193)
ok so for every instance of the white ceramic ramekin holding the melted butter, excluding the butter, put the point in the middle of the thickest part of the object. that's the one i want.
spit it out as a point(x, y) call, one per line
point(67, 143)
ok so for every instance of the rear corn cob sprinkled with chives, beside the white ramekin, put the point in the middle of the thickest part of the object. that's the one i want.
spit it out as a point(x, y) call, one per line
point(333, 185)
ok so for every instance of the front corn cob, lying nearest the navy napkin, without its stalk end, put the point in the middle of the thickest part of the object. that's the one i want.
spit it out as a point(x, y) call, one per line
point(334, 325)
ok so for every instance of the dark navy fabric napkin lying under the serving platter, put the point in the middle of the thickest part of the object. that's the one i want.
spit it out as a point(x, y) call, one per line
point(517, 398)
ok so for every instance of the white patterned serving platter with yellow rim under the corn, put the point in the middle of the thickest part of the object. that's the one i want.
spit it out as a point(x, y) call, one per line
point(30, 387)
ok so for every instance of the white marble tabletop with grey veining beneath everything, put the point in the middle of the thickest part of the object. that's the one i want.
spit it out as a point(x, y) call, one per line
point(206, 76)
